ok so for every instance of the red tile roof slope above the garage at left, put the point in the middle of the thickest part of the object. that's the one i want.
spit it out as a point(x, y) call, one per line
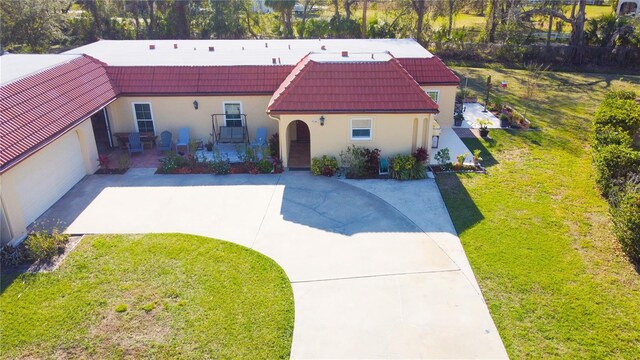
point(38, 108)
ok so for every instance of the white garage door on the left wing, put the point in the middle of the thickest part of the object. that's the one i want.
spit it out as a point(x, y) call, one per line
point(49, 174)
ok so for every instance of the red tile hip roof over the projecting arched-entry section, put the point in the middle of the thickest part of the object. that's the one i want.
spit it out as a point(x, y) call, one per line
point(350, 87)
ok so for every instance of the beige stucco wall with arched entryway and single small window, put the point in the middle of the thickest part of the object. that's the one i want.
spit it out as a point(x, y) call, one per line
point(391, 133)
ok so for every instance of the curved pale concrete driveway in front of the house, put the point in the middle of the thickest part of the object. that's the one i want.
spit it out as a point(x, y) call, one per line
point(376, 267)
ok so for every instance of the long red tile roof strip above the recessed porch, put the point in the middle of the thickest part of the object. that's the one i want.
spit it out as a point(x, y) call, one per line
point(165, 80)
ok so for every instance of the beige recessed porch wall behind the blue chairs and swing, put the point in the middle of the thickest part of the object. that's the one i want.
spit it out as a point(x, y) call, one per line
point(173, 112)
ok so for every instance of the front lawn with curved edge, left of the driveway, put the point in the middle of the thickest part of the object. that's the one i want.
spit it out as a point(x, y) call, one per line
point(185, 296)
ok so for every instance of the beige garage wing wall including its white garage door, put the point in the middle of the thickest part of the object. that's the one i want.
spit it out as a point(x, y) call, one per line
point(44, 177)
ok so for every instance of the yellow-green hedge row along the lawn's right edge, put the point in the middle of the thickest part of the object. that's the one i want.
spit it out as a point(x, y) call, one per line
point(616, 124)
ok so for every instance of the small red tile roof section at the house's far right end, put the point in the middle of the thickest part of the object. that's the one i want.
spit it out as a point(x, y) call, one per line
point(429, 71)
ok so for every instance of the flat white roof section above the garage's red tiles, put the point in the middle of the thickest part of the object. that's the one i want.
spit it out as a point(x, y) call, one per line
point(14, 67)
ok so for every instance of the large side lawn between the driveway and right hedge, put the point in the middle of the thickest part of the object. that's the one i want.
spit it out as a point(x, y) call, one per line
point(536, 231)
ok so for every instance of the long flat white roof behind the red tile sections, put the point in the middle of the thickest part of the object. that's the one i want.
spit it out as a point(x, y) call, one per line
point(238, 52)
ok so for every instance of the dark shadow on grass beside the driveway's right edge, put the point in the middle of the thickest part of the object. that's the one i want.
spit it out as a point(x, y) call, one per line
point(463, 211)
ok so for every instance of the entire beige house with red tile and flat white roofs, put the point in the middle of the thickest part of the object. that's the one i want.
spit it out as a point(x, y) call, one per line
point(58, 111)
